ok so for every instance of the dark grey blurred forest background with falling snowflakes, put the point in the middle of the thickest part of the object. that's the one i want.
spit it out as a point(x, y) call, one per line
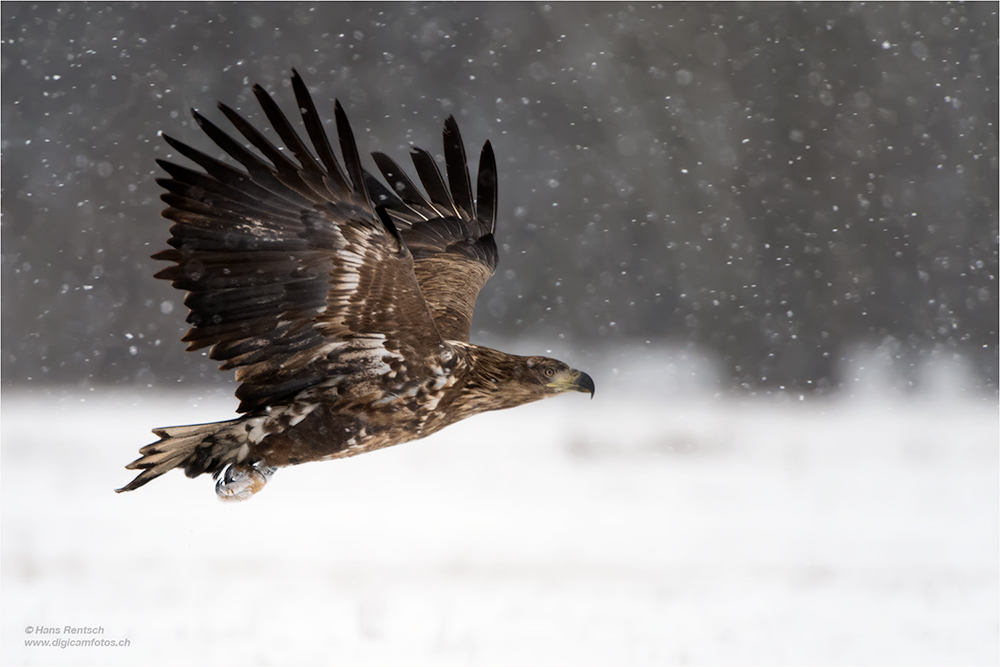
point(772, 184)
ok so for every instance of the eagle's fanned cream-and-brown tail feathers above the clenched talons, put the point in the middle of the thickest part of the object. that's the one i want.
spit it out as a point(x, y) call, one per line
point(196, 448)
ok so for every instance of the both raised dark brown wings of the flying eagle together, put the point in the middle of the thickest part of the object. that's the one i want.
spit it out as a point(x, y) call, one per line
point(295, 275)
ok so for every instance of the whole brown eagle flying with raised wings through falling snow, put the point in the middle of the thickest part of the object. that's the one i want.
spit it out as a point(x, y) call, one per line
point(343, 304)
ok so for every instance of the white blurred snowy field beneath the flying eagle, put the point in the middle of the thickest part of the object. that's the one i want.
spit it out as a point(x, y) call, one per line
point(626, 530)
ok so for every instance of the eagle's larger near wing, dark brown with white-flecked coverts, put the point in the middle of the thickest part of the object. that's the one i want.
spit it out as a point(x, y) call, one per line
point(294, 277)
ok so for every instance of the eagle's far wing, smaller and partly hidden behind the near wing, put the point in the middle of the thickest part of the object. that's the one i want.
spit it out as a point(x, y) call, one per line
point(449, 233)
